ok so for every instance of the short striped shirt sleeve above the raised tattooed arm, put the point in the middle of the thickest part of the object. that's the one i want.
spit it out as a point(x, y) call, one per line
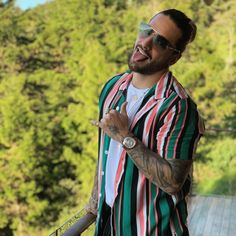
point(180, 130)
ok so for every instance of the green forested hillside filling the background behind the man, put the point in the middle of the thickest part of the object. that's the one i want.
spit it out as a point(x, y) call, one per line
point(55, 59)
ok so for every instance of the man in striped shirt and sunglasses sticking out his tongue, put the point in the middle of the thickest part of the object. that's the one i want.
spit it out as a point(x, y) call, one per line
point(149, 128)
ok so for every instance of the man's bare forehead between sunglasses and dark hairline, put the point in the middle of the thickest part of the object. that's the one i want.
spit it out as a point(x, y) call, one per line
point(166, 27)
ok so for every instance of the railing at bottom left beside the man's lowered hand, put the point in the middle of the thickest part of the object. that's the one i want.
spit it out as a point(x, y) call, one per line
point(76, 225)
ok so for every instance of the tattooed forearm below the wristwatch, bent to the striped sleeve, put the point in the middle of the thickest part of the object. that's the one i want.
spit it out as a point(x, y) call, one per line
point(169, 175)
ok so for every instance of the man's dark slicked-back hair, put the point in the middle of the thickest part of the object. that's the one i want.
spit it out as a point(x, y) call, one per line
point(185, 24)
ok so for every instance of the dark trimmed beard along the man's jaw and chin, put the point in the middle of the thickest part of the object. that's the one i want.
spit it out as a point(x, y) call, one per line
point(147, 67)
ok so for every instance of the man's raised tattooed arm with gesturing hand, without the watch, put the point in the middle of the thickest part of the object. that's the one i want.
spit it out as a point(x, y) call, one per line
point(167, 174)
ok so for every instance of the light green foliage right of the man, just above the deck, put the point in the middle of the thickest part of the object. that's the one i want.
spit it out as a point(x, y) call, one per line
point(219, 164)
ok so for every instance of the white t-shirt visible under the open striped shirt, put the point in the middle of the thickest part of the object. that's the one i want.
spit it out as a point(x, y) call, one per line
point(134, 98)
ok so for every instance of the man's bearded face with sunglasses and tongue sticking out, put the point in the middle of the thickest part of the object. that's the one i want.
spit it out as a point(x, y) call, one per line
point(150, 54)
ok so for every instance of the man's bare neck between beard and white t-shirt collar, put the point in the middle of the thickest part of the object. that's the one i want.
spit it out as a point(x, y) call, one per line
point(146, 81)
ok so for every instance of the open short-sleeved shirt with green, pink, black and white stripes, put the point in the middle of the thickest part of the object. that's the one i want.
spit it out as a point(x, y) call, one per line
point(168, 123)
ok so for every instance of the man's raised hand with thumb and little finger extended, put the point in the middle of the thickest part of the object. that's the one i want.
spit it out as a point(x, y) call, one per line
point(115, 124)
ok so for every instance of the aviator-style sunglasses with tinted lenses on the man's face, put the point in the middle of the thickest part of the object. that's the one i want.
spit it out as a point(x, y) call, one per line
point(145, 30)
